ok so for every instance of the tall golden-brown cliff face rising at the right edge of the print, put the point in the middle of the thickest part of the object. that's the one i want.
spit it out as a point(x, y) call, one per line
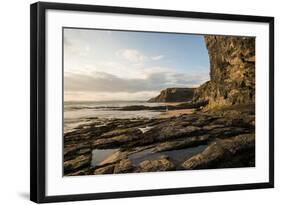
point(232, 71)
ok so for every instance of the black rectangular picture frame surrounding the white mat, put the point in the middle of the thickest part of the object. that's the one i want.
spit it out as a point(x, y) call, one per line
point(38, 100)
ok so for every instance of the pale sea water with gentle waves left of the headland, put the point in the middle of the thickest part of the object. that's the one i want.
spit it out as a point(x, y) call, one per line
point(77, 113)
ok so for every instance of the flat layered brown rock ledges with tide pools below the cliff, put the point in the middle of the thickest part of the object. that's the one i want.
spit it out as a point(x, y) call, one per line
point(217, 138)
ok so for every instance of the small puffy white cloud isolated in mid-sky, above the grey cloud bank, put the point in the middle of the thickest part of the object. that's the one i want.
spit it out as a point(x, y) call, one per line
point(132, 55)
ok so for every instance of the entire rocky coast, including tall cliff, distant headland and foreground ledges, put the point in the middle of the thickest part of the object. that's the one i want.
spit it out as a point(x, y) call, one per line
point(219, 133)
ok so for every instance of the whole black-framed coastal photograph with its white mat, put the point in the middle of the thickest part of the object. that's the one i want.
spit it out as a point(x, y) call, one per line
point(129, 102)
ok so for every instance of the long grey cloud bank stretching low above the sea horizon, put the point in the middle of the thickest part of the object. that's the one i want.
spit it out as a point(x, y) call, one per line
point(105, 82)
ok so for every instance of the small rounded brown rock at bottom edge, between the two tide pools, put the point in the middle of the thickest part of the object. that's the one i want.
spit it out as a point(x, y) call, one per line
point(156, 165)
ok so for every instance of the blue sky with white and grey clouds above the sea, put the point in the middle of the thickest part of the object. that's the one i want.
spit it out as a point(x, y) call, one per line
point(107, 65)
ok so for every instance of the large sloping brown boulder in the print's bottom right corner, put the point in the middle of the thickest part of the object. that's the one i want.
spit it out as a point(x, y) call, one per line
point(236, 151)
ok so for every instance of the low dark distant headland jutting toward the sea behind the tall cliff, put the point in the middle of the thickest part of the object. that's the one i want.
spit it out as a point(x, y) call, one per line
point(174, 95)
